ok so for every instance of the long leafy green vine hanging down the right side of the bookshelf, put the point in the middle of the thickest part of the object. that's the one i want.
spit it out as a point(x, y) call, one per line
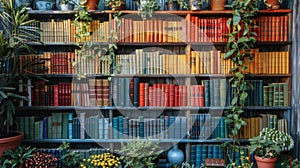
point(241, 40)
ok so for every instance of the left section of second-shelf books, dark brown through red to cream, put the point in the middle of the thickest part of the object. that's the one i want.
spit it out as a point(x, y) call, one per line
point(62, 63)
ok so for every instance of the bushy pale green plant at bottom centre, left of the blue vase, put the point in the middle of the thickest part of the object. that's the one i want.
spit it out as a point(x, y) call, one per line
point(139, 153)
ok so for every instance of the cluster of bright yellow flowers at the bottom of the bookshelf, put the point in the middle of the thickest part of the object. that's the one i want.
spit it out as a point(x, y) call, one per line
point(105, 160)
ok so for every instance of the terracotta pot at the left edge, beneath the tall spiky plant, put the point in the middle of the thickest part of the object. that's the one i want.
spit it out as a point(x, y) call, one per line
point(11, 142)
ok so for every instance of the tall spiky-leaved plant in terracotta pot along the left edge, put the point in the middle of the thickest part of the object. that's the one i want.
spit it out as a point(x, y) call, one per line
point(16, 30)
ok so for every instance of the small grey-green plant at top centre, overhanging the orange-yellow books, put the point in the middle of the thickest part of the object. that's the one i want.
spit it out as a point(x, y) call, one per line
point(147, 8)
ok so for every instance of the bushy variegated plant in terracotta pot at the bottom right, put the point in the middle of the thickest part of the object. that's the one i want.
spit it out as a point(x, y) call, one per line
point(268, 145)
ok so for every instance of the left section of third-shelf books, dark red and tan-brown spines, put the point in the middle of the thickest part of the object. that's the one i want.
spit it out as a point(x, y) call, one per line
point(94, 92)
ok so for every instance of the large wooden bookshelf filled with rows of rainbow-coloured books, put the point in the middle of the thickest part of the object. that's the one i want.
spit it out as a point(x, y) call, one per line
point(163, 64)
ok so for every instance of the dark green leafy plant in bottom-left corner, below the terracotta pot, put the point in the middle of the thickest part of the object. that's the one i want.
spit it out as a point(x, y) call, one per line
point(16, 157)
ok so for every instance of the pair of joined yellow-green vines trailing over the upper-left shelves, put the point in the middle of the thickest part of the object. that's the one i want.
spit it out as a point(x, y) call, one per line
point(82, 22)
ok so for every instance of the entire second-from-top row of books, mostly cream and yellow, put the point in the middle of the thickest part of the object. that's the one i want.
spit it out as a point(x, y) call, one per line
point(146, 62)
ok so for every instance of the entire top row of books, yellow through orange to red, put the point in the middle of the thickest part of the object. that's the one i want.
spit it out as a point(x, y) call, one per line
point(195, 29)
